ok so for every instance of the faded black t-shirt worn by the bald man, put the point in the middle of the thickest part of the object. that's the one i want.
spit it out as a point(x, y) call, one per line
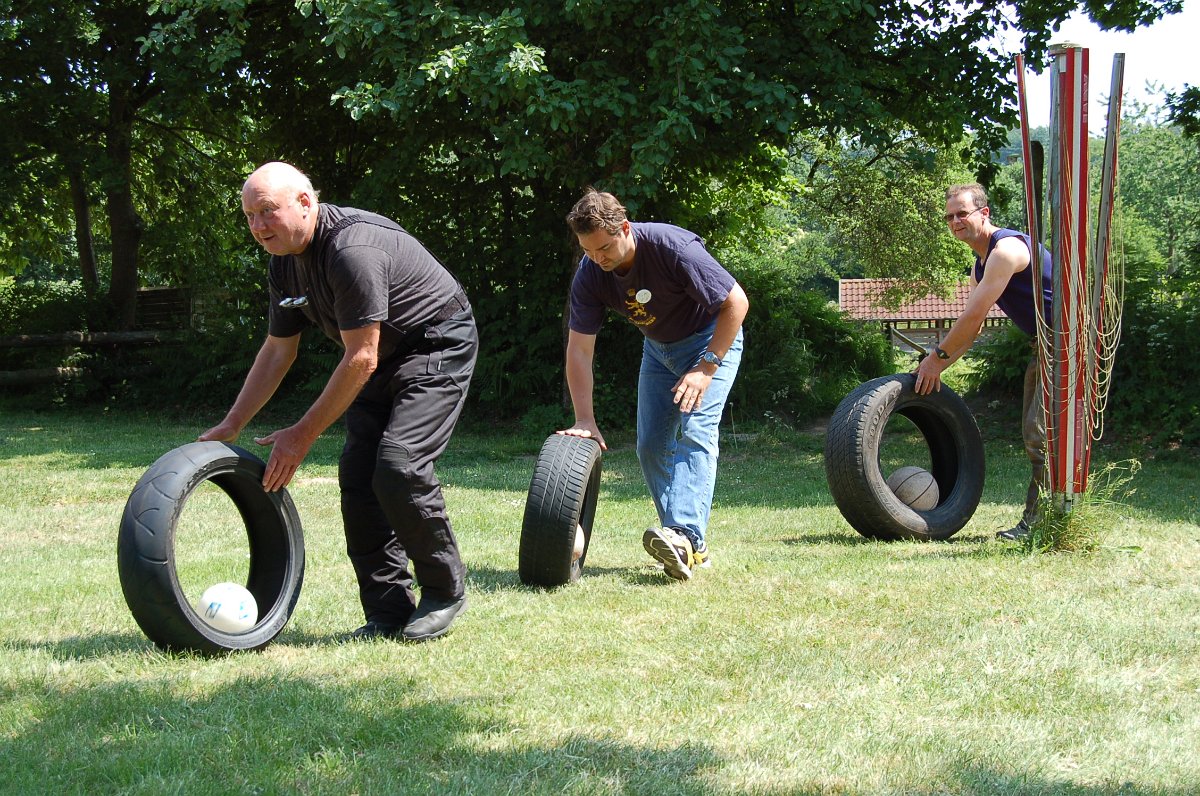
point(358, 270)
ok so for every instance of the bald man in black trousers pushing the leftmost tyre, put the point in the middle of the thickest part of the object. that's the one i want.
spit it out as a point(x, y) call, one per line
point(410, 344)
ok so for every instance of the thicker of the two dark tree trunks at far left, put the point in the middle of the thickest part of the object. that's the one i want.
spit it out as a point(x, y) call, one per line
point(125, 224)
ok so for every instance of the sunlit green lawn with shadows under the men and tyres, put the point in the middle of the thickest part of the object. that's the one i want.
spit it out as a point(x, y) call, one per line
point(808, 661)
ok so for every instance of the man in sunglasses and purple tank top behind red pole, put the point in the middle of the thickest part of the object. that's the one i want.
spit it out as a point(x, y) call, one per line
point(1000, 277)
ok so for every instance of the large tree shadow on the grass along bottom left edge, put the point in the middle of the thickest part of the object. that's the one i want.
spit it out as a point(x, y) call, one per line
point(298, 735)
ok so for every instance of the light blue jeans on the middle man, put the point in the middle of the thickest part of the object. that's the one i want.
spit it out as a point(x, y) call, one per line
point(679, 452)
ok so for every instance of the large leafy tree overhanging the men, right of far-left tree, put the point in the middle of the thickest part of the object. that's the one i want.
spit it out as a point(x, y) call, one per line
point(500, 116)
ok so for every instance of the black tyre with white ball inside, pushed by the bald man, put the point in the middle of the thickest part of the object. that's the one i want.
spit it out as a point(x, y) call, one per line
point(146, 549)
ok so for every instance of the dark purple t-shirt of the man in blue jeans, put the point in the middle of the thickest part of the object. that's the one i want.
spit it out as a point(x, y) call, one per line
point(674, 290)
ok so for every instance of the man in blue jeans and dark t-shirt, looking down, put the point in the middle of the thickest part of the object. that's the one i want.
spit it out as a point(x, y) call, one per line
point(691, 310)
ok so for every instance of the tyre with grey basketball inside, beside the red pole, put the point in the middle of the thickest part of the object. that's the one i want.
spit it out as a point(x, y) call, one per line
point(853, 460)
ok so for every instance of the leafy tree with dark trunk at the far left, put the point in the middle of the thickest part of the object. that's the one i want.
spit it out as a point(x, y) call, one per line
point(91, 118)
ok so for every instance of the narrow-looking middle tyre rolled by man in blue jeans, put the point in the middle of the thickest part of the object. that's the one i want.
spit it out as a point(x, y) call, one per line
point(562, 498)
